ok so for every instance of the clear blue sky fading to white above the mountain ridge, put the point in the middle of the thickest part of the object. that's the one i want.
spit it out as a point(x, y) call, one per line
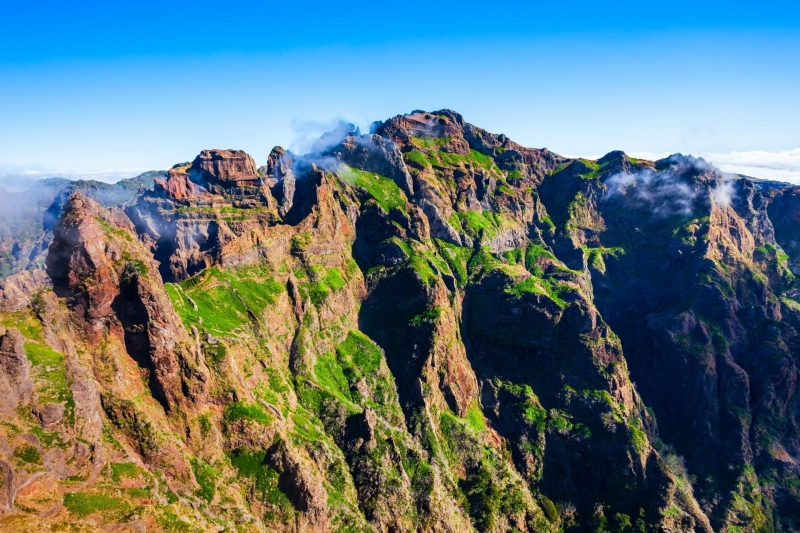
point(107, 89)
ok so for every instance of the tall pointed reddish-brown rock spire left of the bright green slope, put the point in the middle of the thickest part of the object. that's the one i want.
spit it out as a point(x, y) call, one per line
point(113, 289)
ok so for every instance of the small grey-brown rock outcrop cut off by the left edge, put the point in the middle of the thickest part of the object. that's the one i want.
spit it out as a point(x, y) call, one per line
point(15, 372)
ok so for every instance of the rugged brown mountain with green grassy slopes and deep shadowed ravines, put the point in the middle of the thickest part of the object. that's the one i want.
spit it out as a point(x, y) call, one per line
point(425, 328)
